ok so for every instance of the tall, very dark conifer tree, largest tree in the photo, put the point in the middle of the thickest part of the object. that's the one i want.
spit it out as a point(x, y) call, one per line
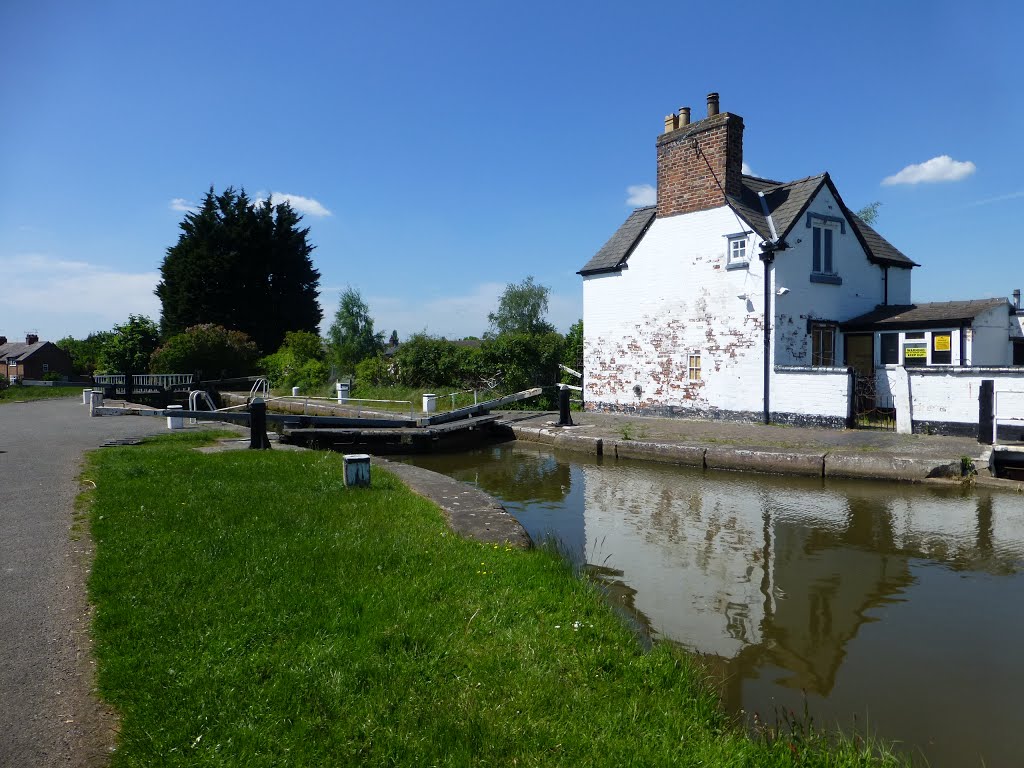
point(241, 266)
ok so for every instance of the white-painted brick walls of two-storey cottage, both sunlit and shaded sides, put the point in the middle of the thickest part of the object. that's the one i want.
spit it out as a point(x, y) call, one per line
point(676, 298)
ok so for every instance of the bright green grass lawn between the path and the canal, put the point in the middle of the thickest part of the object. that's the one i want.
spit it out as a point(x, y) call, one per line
point(251, 612)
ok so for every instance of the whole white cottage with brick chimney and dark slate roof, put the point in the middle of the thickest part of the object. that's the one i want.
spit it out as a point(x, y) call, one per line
point(676, 303)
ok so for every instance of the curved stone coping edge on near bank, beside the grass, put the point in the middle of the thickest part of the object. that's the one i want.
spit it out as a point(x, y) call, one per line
point(470, 513)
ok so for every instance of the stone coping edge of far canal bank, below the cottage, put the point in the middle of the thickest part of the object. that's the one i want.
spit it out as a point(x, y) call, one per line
point(862, 465)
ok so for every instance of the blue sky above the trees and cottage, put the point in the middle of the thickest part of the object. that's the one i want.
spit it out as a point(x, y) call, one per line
point(440, 151)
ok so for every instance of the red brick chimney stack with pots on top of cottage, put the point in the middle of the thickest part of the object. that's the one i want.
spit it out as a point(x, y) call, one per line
point(695, 158)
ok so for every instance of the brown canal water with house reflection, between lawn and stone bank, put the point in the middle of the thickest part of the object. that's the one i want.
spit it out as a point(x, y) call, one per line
point(898, 610)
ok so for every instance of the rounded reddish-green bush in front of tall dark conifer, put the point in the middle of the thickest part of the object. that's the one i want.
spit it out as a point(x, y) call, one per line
point(209, 352)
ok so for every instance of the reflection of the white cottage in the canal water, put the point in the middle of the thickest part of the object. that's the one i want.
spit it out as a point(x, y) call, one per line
point(766, 571)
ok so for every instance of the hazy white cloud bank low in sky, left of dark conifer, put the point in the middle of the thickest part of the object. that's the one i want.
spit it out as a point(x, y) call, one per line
point(59, 297)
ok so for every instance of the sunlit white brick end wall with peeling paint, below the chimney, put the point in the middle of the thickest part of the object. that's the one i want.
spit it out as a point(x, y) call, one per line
point(675, 300)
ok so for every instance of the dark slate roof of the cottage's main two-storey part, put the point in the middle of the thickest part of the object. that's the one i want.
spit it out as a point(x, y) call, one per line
point(786, 203)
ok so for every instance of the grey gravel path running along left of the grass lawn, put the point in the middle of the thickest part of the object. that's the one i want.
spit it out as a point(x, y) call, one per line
point(49, 715)
